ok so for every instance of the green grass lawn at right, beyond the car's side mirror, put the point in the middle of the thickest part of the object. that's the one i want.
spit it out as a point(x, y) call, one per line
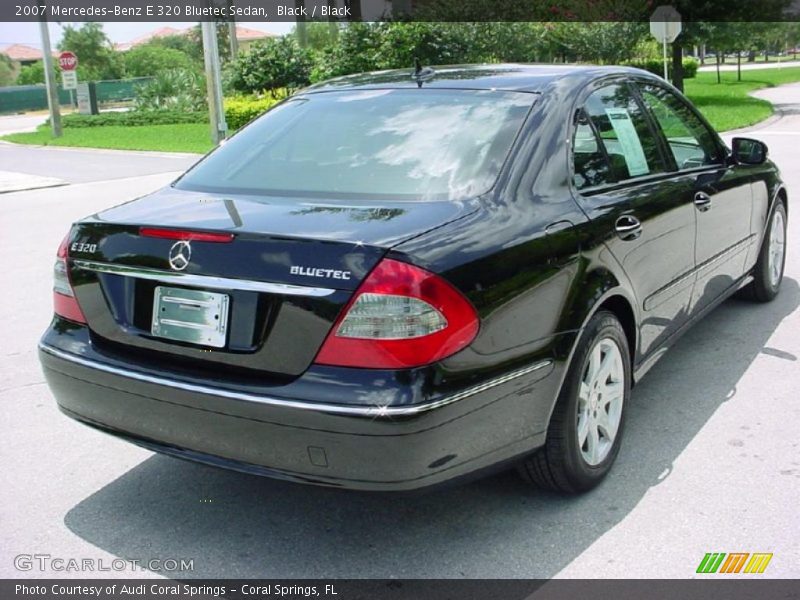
point(727, 105)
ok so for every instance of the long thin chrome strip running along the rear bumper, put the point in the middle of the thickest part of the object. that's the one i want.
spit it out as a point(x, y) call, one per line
point(358, 411)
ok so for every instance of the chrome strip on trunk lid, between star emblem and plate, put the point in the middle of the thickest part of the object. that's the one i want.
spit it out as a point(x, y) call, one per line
point(203, 281)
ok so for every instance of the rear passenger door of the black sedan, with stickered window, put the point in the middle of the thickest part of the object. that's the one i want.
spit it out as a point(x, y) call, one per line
point(642, 210)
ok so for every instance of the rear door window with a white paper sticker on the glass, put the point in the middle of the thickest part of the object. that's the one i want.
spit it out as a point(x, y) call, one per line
point(628, 140)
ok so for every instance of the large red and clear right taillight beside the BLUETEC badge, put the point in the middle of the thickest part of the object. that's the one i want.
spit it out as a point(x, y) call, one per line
point(400, 317)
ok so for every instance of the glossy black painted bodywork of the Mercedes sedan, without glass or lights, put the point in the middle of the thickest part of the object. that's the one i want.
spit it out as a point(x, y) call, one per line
point(535, 256)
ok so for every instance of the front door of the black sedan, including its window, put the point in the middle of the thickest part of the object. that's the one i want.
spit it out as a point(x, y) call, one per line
point(721, 195)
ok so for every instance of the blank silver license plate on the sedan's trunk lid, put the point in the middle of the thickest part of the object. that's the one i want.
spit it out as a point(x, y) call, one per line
point(190, 316)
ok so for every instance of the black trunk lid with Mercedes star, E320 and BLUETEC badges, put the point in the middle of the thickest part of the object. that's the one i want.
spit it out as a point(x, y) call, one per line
point(259, 303)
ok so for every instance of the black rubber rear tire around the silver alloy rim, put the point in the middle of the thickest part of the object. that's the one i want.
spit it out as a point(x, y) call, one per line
point(560, 465)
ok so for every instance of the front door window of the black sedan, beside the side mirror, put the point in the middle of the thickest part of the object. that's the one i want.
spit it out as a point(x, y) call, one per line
point(691, 143)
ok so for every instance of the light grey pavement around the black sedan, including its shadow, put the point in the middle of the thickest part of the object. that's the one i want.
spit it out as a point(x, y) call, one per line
point(710, 463)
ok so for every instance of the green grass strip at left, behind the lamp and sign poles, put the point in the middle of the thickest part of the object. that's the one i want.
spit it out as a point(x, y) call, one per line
point(192, 137)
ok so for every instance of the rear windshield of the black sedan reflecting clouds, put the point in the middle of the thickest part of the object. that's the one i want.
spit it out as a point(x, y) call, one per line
point(394, 144)
